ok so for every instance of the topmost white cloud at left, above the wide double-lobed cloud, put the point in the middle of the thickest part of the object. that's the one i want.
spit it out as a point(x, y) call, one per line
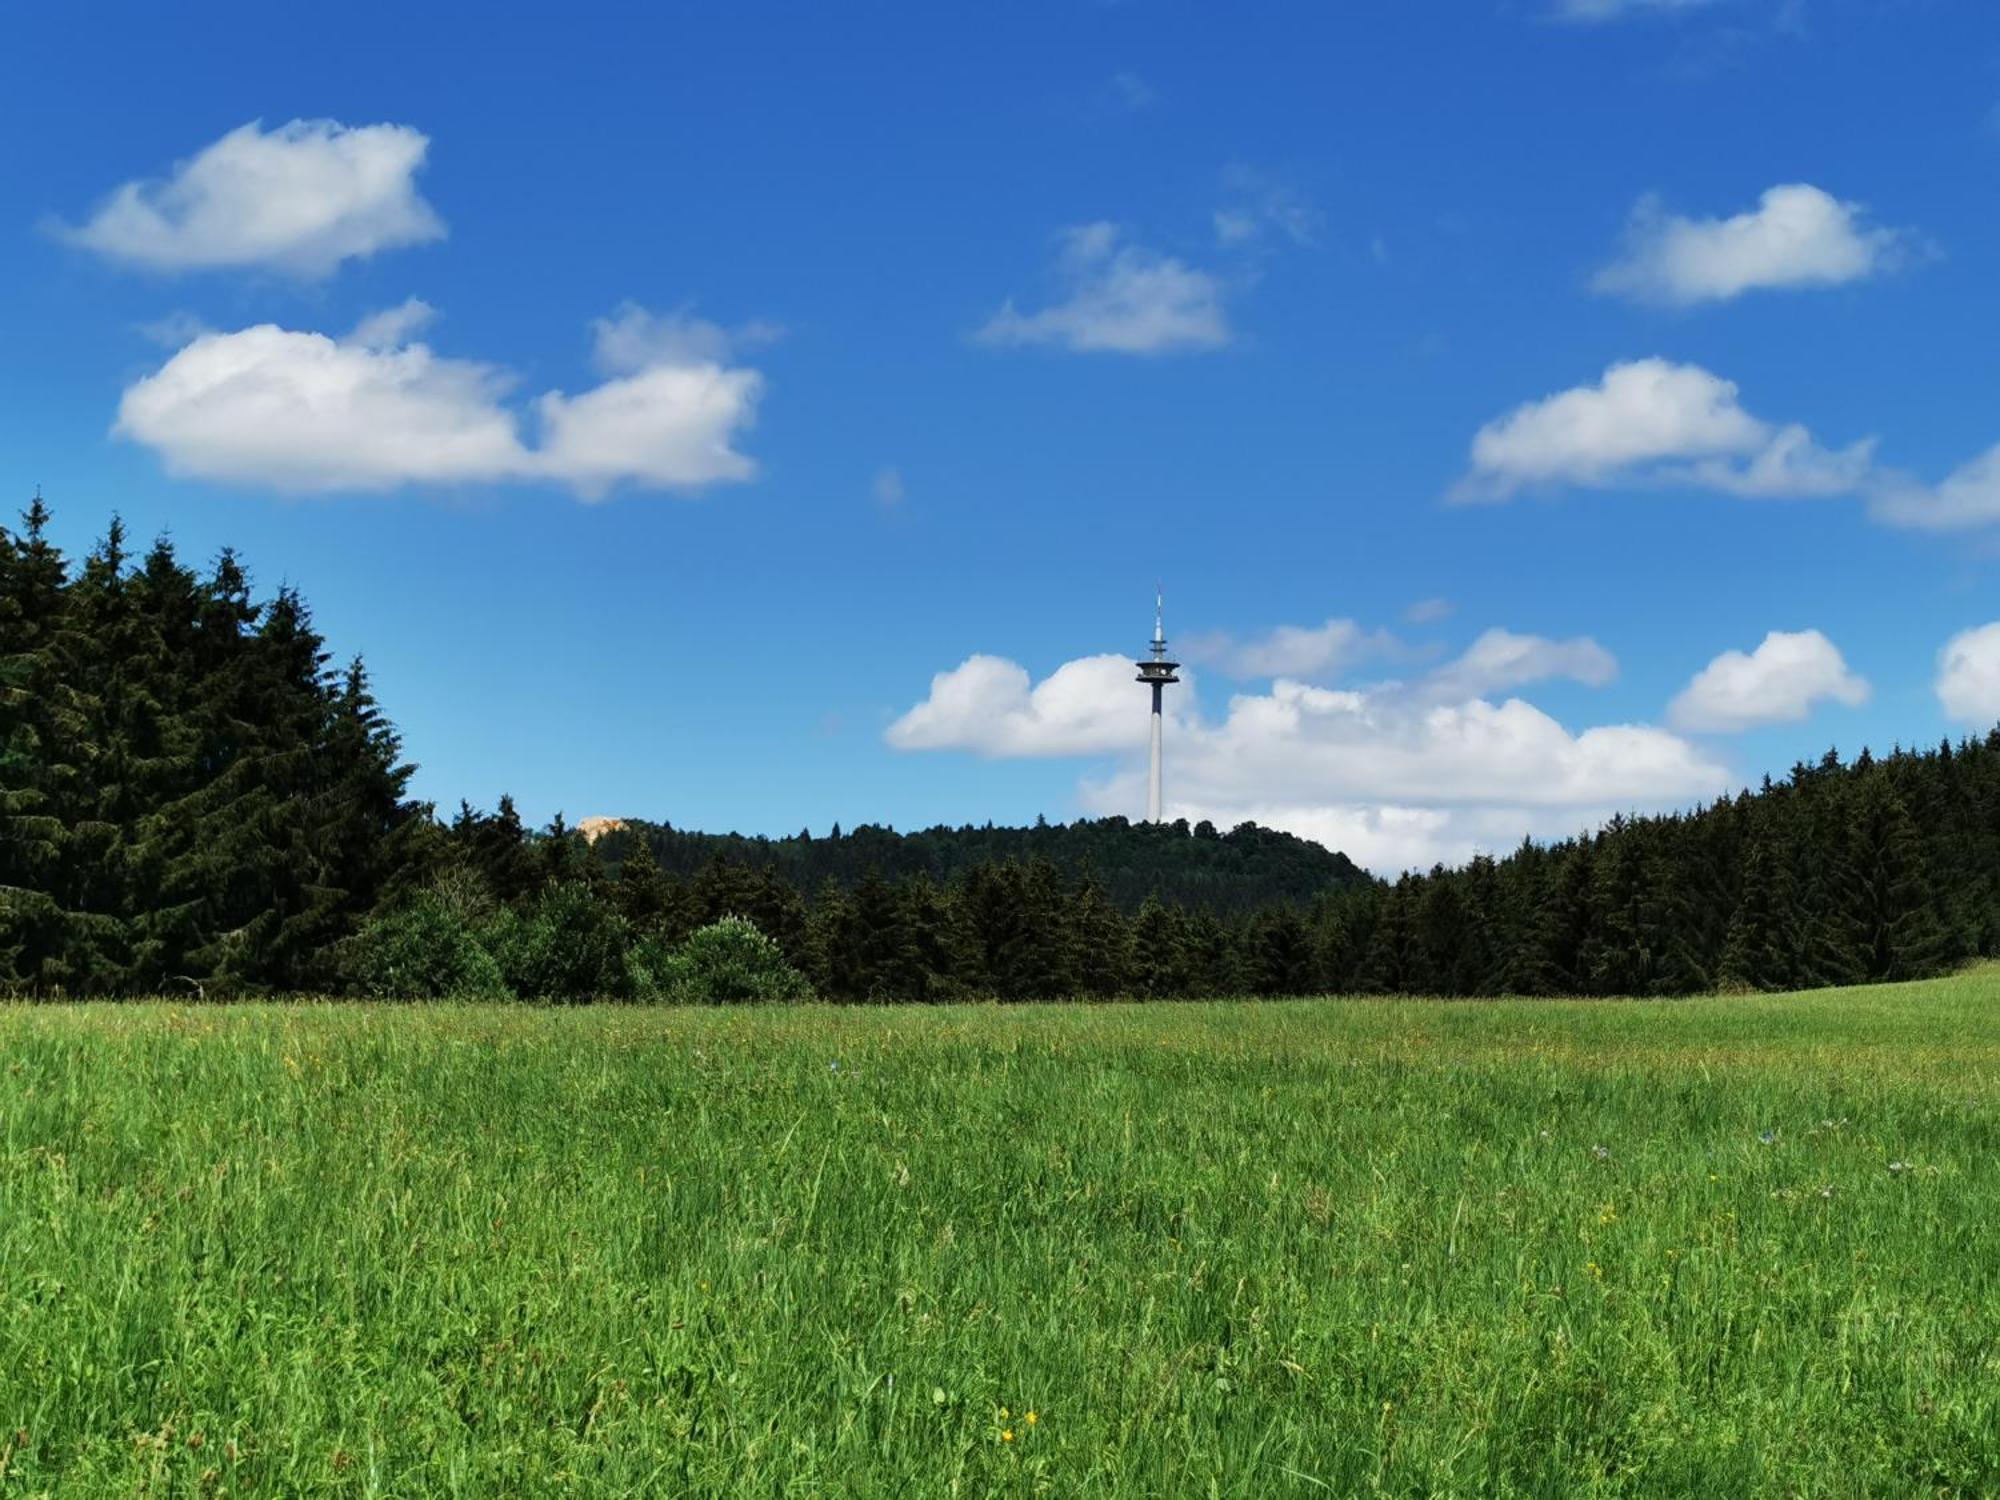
point(299, 199)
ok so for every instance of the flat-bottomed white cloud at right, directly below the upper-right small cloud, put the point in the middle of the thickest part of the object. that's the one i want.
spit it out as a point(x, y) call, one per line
point(1657, 423)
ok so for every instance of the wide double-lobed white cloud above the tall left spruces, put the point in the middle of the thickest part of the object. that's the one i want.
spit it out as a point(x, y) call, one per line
point(305, 413)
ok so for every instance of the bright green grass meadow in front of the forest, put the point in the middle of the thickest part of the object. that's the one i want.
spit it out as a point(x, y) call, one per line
point(1289, 1249)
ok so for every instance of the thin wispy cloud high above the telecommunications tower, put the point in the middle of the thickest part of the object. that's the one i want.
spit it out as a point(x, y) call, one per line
point(1119, 299)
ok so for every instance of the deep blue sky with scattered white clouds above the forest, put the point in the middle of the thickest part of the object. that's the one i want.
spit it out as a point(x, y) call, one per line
point(769, 363)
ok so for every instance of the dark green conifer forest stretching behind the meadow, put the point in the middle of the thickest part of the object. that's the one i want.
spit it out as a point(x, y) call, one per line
point(197, 801)
